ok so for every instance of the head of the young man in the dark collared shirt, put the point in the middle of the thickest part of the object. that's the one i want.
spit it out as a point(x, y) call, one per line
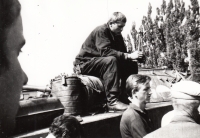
point(138, 89)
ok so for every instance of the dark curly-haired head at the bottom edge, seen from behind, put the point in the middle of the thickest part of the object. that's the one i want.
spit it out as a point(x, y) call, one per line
point(65, 127)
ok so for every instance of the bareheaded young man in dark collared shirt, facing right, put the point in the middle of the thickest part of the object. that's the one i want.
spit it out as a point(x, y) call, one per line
point(135, 122)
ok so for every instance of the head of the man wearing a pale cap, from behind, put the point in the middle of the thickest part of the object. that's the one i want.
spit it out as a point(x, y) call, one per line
point(186, 98)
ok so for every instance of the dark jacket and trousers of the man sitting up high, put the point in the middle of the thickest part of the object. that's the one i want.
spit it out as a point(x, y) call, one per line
point(103, 55)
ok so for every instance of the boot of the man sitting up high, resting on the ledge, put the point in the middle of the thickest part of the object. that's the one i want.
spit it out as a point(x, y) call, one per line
point(114, 104)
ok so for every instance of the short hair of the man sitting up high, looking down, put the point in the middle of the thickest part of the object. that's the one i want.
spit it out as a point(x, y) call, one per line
point(117, 17)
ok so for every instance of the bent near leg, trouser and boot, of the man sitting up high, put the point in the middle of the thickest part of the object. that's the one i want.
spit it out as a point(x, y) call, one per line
point(107, 69)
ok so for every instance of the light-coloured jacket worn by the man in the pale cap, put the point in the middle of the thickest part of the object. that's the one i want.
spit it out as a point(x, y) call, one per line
point(179, 127)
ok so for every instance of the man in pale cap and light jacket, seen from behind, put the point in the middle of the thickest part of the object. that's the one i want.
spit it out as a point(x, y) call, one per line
point(185, 101)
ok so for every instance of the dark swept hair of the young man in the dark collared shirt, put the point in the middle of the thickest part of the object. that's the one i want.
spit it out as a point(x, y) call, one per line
point(133, 83)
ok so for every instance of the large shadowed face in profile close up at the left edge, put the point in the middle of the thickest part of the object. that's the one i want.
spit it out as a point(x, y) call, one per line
point(12, 77)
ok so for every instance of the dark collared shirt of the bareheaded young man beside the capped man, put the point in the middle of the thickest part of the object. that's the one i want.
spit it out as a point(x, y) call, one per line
point(134, 123)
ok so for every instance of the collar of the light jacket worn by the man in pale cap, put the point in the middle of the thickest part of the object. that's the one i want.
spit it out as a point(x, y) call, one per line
point(182, 118)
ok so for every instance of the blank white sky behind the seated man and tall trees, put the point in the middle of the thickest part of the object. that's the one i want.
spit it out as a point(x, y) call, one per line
point(55, 30)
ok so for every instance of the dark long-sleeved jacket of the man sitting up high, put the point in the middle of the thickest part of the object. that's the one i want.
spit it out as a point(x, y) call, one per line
point(102, 43)
